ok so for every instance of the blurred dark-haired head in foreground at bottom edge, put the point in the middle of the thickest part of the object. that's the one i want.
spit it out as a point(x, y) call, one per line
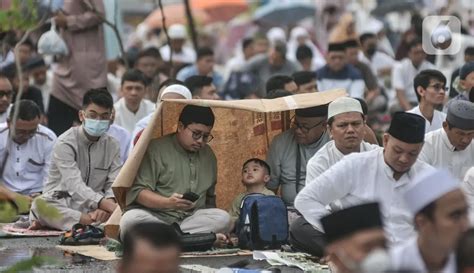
point(150, 247)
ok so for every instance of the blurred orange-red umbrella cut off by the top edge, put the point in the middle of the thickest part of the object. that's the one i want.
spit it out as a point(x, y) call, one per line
point(220, 10)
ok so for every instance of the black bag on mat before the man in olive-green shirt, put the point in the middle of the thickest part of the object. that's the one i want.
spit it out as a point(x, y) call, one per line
point(195, 241)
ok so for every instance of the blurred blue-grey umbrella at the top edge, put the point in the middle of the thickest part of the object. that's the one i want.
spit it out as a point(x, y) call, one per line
point(284, 12)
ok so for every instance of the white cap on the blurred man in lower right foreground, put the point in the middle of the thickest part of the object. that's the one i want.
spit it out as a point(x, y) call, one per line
point(428, 187)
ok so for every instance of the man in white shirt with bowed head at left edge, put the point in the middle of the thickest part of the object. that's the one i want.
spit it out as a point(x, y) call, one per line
point(25, 150)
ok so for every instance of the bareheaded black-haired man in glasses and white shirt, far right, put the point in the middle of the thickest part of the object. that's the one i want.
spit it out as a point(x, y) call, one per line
point(430, 89)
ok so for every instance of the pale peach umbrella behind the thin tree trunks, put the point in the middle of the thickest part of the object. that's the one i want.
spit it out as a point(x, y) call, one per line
point(175, 14)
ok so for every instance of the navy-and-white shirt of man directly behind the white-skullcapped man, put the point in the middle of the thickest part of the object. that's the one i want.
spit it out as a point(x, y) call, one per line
point(349, 78)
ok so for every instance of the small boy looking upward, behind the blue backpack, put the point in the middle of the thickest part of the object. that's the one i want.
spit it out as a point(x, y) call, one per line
point(255, 174)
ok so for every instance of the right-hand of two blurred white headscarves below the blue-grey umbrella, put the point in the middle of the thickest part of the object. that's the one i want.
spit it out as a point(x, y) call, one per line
point(296, 32)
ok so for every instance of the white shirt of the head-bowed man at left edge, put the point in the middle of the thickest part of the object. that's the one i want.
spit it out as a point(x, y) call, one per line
point(25, 166)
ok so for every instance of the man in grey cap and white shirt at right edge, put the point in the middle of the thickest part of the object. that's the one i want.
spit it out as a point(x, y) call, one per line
point(451, 147)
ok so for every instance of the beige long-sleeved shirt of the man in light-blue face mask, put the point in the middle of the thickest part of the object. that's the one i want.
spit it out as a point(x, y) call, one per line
point(83, 169)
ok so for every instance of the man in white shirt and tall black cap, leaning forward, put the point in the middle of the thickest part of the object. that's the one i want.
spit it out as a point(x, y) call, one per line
point(379, 175)
